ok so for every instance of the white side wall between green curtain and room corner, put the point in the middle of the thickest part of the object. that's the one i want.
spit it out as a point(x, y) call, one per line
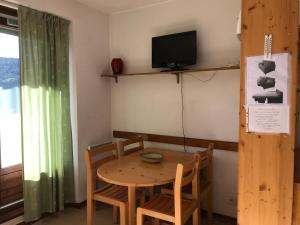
point(90, 95)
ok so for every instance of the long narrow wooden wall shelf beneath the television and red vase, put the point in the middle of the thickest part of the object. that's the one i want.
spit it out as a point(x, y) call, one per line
point(176, 73)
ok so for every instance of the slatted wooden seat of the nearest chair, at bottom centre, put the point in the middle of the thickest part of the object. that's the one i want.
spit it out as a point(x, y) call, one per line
point(163, 207)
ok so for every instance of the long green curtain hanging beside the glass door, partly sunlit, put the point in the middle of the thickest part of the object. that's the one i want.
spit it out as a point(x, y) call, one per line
point(46, 127)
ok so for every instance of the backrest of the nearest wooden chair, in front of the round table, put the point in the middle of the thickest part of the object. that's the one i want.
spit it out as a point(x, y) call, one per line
point(186, 174)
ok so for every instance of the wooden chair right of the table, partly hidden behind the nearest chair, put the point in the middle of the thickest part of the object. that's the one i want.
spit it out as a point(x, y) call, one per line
point(205, 179)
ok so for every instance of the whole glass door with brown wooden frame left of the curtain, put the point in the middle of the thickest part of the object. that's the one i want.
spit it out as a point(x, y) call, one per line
point(11, 188)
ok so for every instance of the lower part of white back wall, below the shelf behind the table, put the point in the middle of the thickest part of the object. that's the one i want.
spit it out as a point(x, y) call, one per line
point(153, 105)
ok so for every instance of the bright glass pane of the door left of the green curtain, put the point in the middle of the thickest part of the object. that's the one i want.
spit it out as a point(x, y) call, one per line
point(10, 119)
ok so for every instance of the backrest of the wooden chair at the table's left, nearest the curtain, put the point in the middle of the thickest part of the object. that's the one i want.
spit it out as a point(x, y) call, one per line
point(94, 158)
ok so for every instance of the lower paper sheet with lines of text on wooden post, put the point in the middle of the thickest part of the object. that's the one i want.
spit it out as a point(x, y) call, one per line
point(269, 119)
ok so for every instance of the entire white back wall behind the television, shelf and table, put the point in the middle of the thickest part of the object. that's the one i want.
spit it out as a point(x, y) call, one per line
point(153, 104)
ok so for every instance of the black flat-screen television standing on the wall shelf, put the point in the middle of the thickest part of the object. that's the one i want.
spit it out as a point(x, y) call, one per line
point(174, 51)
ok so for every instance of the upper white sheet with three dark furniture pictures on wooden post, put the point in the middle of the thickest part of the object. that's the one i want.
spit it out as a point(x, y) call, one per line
point(267, 80)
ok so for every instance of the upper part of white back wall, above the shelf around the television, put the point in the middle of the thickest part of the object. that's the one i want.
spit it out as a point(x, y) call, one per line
point(215, 22)
